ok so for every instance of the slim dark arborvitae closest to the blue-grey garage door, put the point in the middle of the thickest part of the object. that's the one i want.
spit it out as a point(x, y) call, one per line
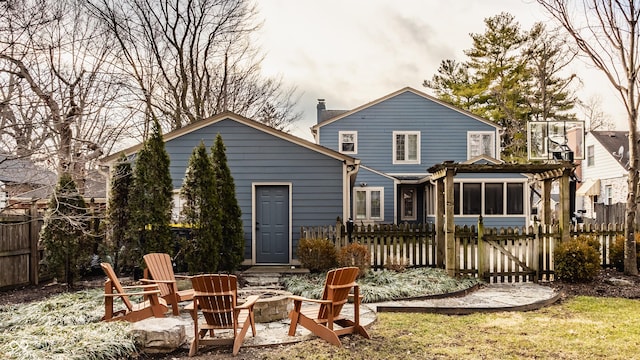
point(232, 233)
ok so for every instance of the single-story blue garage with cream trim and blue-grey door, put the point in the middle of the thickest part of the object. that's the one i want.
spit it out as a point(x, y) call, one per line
point(282, 182)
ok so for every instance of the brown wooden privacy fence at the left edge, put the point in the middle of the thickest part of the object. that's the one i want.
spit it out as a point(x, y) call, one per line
point(19, 255)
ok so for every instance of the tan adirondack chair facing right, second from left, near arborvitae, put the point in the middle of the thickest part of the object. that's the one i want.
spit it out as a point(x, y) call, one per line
point(160, 271)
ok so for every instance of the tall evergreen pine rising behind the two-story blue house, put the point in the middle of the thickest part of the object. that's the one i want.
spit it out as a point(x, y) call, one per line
point(511, 77)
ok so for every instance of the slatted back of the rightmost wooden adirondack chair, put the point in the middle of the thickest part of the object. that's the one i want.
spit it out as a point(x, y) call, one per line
point(337, 287)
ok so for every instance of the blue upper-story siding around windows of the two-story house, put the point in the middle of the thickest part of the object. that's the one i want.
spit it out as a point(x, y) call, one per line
point(443, 132)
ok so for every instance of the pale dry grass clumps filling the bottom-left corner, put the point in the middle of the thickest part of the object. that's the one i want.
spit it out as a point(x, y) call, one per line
point(65, 326)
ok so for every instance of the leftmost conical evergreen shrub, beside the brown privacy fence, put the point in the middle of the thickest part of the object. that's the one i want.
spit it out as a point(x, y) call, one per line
point(64, 235)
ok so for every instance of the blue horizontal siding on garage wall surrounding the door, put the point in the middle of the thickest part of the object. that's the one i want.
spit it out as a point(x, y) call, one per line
point(255, 156)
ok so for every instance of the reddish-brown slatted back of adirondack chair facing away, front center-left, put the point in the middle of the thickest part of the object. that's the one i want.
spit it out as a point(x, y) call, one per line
point(216, 297)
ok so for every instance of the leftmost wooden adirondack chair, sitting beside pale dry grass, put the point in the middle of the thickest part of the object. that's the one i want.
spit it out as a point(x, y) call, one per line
point(153, 306)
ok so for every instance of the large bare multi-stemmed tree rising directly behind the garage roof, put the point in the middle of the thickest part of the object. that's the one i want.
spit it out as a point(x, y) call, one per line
point(191, 60)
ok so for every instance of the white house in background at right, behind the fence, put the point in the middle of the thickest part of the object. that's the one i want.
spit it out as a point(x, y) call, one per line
point(604, 170)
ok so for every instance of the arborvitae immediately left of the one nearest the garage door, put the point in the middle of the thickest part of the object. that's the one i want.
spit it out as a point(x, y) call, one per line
point(201, 211)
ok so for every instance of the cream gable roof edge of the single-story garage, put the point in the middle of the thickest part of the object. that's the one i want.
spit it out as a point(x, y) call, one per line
point(227, 115)
